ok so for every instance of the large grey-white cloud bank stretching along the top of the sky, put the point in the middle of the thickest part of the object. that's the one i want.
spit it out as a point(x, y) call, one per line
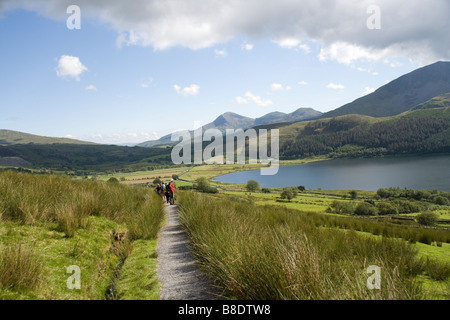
point(415, 29)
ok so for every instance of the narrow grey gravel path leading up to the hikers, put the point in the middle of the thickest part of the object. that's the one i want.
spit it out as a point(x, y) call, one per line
point(177, 270)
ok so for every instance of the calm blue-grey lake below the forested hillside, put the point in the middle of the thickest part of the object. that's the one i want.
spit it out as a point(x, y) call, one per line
point(418, 172)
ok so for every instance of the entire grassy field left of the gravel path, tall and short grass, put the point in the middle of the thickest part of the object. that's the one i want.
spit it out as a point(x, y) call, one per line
point(50, 223)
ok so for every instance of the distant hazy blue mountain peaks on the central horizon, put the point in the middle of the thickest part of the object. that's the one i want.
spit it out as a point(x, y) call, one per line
point(230, 120)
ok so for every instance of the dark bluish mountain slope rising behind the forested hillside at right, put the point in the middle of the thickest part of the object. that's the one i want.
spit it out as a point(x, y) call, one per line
point(401, 94)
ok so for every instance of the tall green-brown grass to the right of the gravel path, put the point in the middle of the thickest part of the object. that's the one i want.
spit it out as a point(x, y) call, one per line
point(264, 253)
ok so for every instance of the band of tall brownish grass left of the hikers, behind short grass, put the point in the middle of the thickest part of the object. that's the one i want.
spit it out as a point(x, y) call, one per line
point(30, 199)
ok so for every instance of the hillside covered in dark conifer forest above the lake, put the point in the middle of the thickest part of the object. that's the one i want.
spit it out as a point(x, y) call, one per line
point(414, 132)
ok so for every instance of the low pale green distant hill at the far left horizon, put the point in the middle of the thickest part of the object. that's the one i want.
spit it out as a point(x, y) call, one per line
point(9, 137)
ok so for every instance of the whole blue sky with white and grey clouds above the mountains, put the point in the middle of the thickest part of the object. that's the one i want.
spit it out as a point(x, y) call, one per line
point(115, 72)
